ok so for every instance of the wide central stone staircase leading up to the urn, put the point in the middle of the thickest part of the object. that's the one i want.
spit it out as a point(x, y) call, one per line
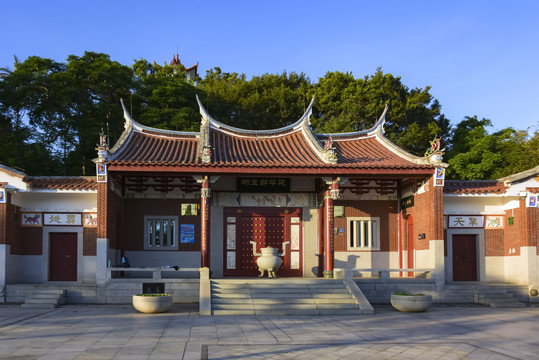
point(283, 297)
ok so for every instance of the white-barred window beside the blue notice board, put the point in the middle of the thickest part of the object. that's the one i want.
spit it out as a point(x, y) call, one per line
point(160, 233)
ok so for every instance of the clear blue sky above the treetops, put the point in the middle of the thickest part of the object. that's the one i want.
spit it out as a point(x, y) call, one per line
point(480, 57)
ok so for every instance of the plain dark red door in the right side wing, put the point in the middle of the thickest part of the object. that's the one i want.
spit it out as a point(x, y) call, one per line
point(464, 258)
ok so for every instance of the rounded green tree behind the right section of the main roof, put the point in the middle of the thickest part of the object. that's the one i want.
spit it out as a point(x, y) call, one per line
point(346, 104)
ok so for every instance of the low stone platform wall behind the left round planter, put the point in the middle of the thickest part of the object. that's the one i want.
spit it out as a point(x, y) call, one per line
point(183, 290)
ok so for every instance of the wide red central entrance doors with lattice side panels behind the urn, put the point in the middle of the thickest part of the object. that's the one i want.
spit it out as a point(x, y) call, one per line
point(267, 227)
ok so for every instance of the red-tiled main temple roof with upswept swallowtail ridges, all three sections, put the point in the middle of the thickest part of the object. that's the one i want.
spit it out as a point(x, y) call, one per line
point(292, 147)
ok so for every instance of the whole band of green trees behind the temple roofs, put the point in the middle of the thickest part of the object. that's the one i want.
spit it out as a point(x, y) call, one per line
point(51, 112)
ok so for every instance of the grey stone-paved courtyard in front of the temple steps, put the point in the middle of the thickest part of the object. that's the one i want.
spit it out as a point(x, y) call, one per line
point(118, 332)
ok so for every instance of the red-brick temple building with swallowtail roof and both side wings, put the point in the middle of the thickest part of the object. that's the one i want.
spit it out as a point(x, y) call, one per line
point(352, 202)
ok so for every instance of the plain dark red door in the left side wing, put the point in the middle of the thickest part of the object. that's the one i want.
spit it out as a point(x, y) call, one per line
point(63, 257)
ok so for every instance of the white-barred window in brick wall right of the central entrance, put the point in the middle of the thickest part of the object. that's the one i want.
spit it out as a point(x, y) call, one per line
point(363, 233)
